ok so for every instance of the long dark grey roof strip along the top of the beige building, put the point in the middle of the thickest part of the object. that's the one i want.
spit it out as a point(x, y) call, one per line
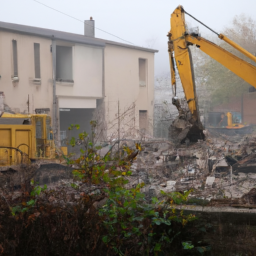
point(61, 35)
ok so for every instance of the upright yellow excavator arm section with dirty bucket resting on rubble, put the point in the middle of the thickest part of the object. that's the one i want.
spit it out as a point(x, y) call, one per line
point(186, 127)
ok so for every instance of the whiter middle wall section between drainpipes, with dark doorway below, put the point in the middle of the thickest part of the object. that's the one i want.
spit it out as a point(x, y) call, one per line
point(80, 97)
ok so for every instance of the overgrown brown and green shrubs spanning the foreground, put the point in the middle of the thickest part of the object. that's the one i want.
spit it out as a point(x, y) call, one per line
point(103, 216)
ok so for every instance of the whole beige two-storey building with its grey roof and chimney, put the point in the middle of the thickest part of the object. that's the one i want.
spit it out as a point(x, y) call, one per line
point(77, 78)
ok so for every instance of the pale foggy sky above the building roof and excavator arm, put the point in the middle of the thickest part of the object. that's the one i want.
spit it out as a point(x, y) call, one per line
point(142, 22)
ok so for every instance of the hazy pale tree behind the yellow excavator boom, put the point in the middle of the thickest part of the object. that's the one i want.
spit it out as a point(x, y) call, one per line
point(218, 83)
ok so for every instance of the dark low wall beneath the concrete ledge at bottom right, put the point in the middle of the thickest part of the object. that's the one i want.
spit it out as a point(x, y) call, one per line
point(228, 233)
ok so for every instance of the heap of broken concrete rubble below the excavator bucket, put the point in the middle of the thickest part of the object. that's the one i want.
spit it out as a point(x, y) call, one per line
point(219, 167)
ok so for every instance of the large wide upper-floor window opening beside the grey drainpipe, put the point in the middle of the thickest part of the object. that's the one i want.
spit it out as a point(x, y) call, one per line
point(64, 64)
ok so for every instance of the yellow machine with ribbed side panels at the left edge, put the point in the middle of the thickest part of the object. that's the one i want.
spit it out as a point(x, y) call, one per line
point(24, 138)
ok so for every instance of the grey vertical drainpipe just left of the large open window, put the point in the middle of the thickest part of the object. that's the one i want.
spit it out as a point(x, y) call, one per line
point(54, 107)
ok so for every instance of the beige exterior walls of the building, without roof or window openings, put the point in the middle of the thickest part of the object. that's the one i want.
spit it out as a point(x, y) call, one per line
point(111, 73)
